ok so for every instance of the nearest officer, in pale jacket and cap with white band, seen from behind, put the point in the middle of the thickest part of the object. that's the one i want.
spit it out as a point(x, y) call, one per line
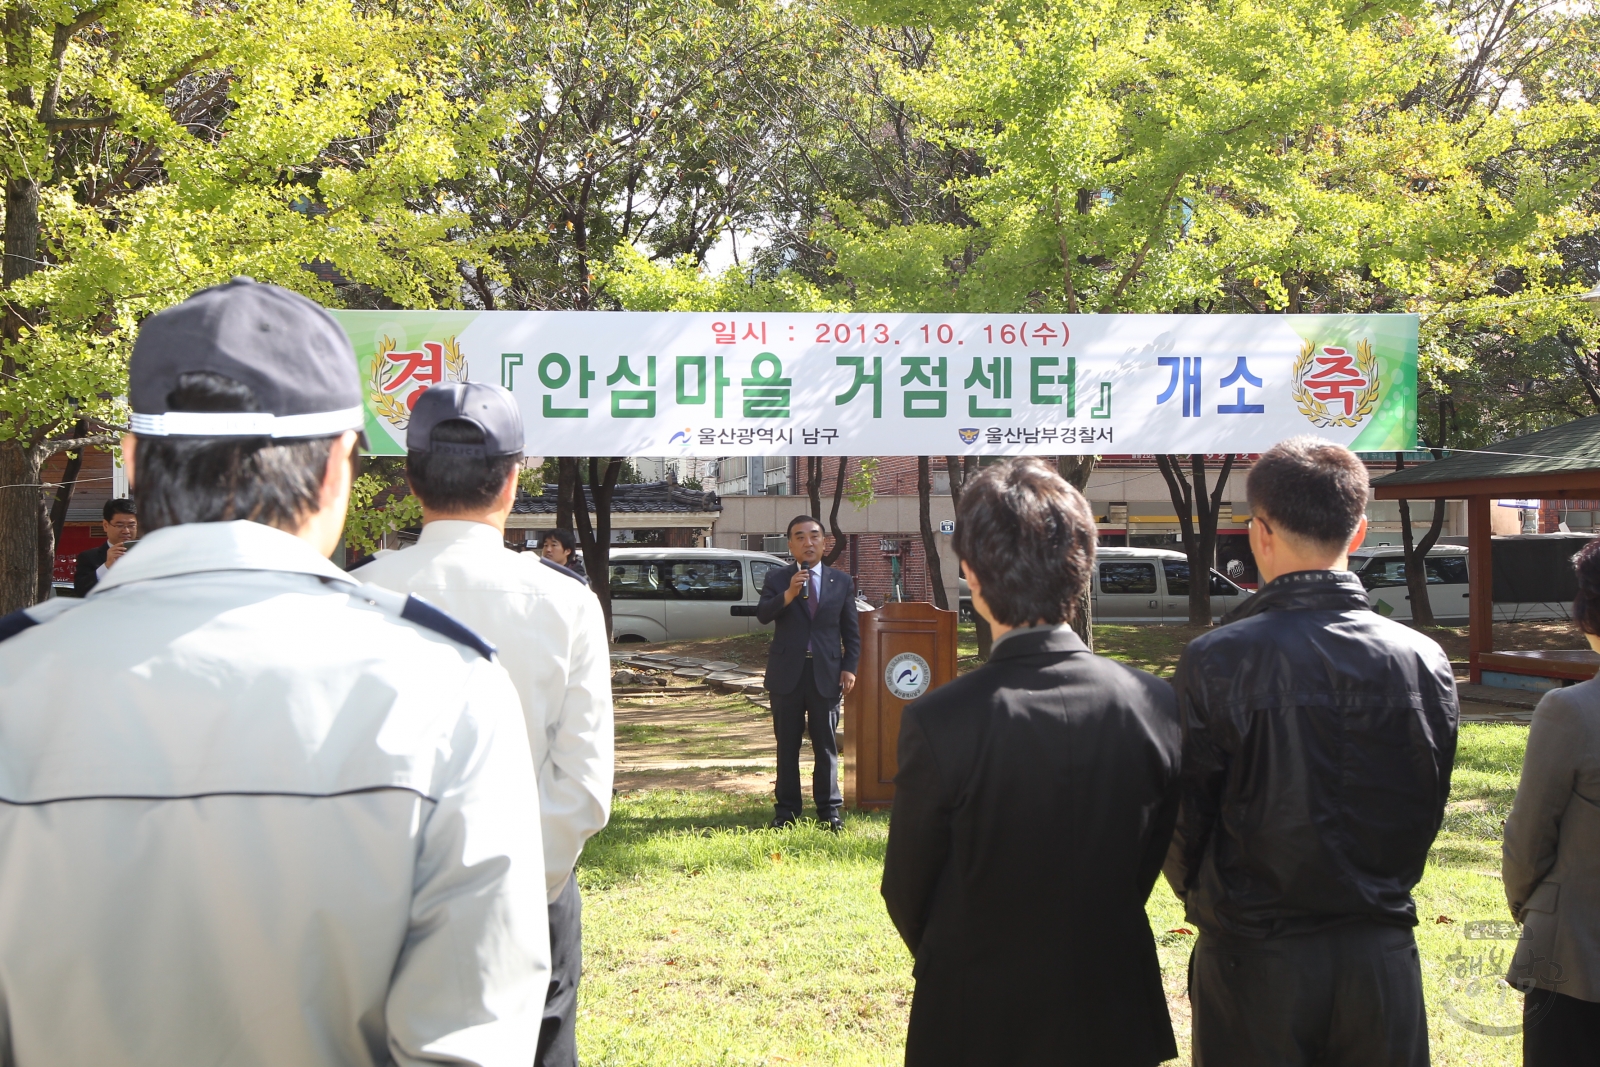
point(279, 817)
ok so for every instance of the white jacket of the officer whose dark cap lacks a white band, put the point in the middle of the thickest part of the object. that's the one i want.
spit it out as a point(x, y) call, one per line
point(551, 637)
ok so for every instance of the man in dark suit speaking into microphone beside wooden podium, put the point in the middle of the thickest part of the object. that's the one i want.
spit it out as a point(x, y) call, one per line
point(810, 666)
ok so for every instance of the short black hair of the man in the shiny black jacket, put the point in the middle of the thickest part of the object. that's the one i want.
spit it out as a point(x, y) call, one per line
point(1313, 489)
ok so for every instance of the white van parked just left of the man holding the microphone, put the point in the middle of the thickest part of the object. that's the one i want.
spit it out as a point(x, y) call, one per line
point(686, 594)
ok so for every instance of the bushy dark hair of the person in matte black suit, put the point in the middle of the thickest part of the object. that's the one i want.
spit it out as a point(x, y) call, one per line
point(1030, 538)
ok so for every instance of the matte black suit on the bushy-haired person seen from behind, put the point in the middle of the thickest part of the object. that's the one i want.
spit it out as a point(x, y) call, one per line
point(1034, 804)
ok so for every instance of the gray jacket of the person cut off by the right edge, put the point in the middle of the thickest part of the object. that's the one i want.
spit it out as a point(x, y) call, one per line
point(1553, 849)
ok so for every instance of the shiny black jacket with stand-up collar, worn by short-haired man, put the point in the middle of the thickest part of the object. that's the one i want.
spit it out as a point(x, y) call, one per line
point(1318, 748)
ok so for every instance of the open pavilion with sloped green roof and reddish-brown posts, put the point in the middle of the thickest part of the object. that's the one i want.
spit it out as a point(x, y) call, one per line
point(1551, 465)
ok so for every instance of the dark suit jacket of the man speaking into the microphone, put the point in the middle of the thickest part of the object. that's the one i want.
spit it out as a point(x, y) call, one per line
point(834, 634)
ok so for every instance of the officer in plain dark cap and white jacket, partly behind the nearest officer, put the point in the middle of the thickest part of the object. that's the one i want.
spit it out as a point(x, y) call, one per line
point(463, 457)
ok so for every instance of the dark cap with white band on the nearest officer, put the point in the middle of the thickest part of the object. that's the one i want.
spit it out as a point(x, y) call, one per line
point(287, 350)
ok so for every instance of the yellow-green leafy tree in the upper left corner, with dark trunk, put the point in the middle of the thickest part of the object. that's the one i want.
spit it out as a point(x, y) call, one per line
point(154, 148)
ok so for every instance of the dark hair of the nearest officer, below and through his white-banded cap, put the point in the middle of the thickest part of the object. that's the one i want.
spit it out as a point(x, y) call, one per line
point(218, 479)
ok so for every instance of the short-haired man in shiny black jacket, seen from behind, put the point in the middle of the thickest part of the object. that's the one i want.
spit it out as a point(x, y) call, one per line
point(1318, 748)
